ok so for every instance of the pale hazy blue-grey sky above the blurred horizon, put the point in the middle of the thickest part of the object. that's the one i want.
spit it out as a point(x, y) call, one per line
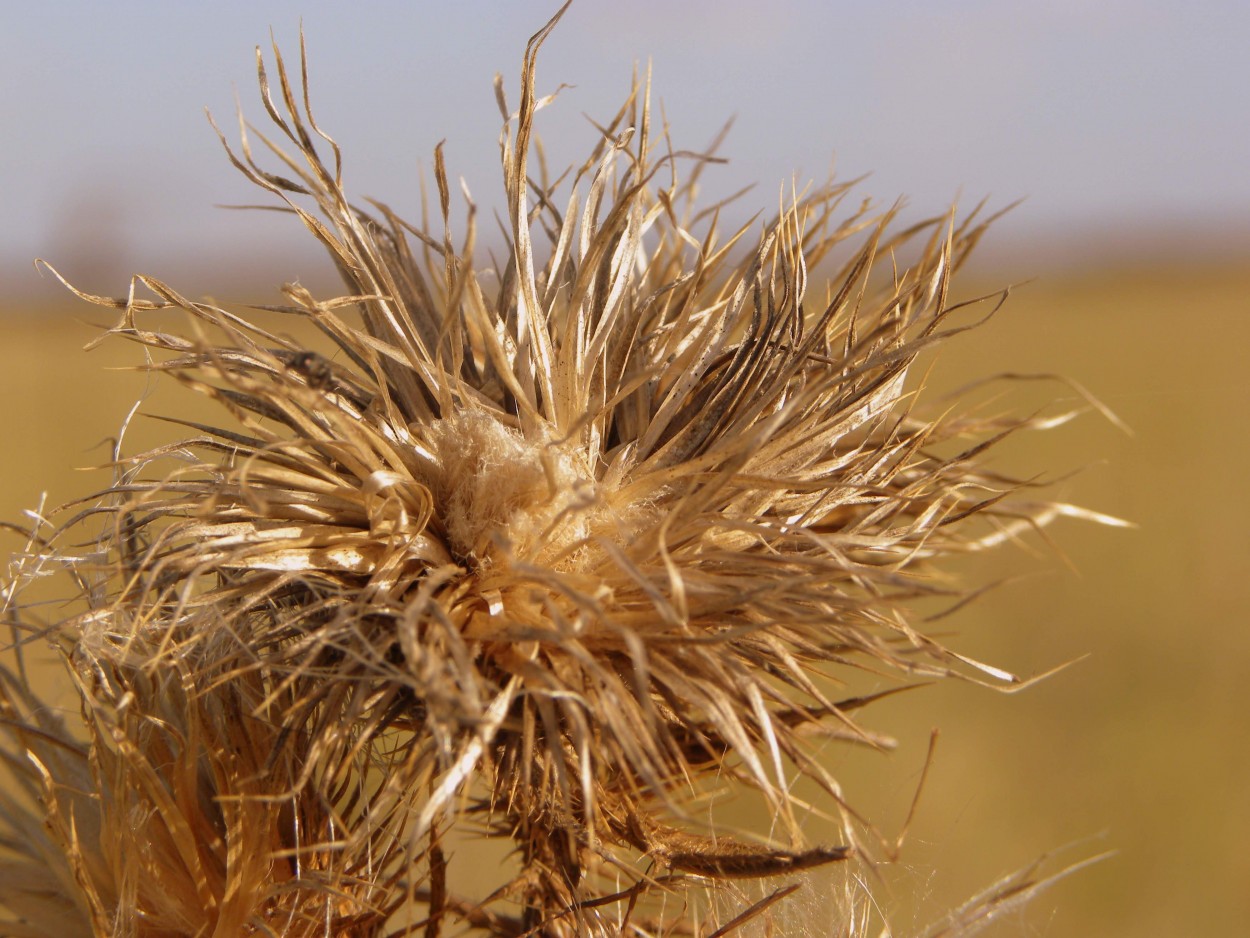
point(1127, 112)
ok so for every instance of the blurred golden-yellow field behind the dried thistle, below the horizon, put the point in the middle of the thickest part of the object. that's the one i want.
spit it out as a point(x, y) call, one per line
point(1139, 749)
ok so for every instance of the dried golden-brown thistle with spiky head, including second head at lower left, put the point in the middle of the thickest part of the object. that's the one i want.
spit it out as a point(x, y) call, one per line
point(551, 550)
